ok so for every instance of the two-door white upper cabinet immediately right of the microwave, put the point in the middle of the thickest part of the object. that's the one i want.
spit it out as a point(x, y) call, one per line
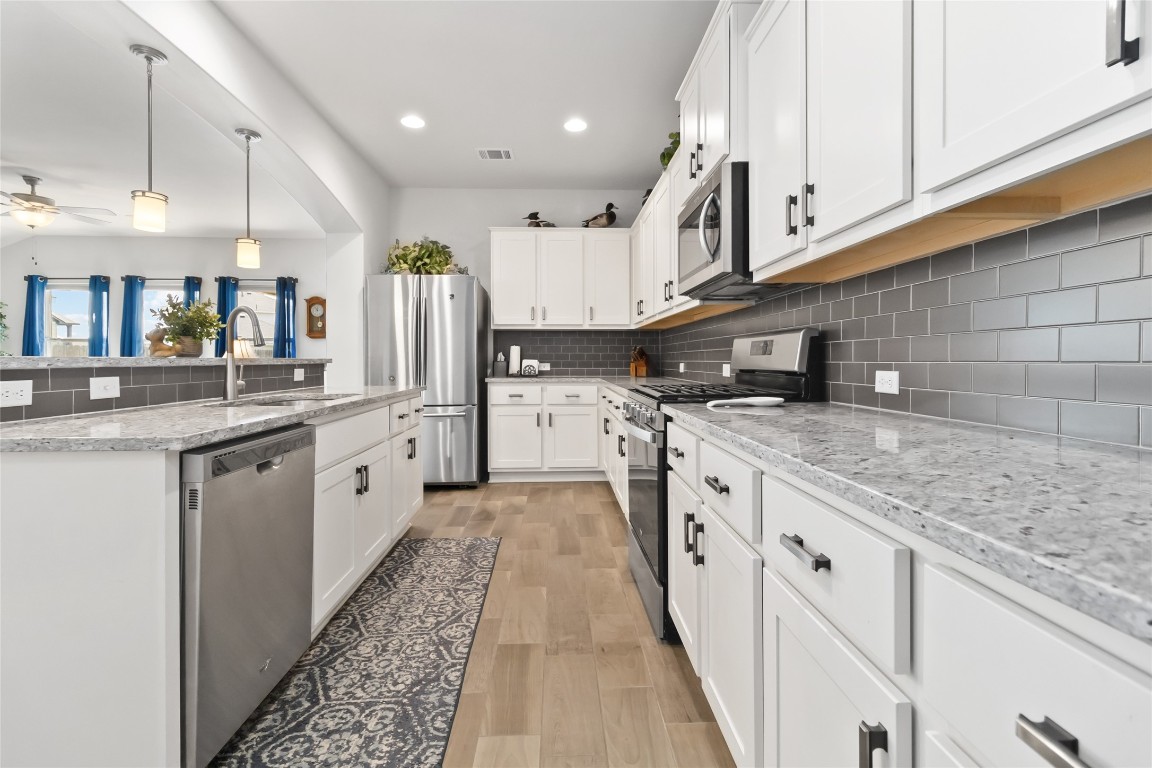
point(830, 141)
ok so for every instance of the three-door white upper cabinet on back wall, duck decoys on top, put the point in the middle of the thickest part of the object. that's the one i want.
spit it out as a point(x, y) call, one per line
point(560, 278)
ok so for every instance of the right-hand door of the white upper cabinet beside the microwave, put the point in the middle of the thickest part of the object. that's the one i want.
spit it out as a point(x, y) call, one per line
point(860, 153)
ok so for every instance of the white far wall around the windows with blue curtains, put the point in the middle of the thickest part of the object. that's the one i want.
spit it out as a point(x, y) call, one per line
point(158, 257)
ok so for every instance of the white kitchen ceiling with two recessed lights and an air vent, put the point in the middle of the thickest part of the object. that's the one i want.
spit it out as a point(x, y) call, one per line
point(490, 75)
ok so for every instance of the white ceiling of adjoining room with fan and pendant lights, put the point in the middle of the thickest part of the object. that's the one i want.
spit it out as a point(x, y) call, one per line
point(73, 112)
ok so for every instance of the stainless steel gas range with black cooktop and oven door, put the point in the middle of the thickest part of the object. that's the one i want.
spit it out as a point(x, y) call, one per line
point(786, 364)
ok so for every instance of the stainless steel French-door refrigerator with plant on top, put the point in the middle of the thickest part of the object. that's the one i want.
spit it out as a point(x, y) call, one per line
point(431, 331)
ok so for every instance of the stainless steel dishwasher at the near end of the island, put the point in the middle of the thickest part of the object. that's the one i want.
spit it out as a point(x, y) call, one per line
point(247, 590)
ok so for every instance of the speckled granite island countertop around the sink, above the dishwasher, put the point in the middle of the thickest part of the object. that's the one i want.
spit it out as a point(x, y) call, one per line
point(185, 425)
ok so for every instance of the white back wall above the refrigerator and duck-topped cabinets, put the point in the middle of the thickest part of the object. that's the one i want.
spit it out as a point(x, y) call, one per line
point(460, 218)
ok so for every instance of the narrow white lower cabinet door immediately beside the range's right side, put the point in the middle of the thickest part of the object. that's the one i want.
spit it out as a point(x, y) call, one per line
point(684, 573)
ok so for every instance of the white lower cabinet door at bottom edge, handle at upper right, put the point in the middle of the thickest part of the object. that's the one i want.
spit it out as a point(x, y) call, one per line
point(820, 693)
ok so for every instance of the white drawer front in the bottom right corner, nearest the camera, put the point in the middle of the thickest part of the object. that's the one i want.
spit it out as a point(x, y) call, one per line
point(988, 661)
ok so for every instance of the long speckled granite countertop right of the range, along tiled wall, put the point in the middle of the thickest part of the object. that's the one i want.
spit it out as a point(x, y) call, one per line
point(1068, 519)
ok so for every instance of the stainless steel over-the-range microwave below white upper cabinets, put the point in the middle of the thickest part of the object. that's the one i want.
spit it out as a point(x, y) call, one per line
point(714, 248)
